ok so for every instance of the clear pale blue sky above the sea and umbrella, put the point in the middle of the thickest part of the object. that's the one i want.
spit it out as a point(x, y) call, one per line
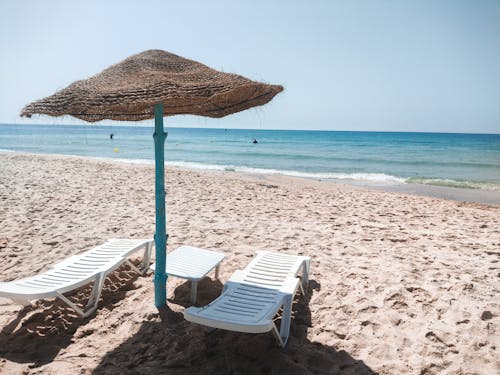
point(346, 65)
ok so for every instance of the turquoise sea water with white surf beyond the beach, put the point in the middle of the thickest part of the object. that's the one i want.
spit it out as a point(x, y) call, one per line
point(461, 160)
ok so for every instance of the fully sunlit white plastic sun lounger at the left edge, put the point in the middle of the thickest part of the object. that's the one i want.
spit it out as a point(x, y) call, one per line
point(76, 271)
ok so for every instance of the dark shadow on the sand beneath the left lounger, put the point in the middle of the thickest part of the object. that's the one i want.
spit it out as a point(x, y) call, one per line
point(39, 332)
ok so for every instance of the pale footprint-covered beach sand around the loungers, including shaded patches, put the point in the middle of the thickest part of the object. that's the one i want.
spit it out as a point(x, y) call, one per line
point(400, 284)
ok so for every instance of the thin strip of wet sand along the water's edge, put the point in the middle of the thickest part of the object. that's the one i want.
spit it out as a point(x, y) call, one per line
point(479, 196)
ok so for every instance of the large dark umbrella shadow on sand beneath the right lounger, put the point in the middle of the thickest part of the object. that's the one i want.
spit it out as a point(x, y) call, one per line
point(171, 345)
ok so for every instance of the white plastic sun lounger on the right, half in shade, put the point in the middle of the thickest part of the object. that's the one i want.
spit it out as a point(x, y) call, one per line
point(252, 297)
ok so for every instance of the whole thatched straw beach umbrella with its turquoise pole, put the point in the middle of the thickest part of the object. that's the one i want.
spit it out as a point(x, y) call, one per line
point(154, 84)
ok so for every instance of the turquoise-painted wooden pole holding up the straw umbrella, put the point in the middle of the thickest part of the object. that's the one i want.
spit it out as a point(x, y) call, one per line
point(161, 226)
